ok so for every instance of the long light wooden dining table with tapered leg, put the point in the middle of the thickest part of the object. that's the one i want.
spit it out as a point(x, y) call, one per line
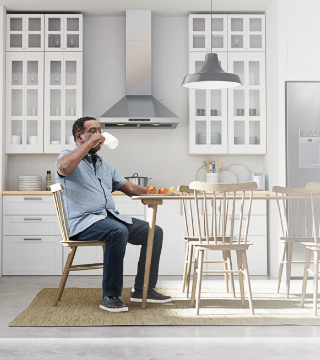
point(152, 201)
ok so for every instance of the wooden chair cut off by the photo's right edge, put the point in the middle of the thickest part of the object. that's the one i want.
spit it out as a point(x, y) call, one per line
point(315, 247)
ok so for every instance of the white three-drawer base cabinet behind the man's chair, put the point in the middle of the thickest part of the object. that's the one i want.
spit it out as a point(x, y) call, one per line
point(31, 236)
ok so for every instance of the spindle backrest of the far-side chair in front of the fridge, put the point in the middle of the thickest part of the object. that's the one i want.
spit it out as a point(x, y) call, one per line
point(295, 211)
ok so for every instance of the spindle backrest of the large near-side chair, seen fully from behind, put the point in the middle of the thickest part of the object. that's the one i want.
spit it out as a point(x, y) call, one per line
point(218, 193)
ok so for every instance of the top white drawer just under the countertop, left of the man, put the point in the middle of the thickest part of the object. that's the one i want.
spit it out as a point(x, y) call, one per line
point(28, 204)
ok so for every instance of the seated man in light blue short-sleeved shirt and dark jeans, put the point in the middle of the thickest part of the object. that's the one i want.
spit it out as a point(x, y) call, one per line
point(88, 182)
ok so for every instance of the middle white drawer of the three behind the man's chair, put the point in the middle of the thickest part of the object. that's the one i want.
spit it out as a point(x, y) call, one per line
point(31, 225)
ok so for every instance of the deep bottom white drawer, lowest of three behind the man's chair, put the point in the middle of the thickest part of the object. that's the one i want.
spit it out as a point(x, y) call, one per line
point(32, 255)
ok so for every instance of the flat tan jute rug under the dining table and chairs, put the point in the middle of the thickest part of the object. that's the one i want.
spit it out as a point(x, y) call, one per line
point(80, 307)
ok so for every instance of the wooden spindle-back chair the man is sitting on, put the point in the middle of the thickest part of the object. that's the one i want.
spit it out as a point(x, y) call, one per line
point(73, 245)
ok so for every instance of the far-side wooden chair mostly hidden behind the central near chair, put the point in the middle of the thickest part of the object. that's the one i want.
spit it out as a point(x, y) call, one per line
point(190, 229)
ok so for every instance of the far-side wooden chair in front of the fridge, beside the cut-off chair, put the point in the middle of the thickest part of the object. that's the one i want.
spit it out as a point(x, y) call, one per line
point(292, 212)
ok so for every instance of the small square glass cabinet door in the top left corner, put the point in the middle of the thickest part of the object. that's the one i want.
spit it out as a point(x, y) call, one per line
point(25, 32)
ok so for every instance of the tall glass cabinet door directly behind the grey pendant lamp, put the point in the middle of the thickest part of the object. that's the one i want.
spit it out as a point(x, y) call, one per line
point(208, 127)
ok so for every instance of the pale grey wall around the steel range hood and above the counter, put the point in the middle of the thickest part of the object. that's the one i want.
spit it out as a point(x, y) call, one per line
point(159, 154)
